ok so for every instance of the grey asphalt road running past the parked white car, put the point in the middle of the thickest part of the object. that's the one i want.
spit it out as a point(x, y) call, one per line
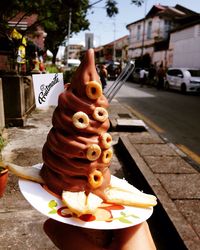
point(176, 117)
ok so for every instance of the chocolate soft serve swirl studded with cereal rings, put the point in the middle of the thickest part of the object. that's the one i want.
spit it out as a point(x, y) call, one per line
point(77, 151)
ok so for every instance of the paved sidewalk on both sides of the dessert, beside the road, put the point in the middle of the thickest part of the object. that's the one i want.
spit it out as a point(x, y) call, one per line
point(175, 182)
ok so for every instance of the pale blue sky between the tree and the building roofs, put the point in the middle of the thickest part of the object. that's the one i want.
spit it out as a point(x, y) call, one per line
point(107, 29)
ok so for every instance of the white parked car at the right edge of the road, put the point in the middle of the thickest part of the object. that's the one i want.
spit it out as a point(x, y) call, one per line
point(183, 79)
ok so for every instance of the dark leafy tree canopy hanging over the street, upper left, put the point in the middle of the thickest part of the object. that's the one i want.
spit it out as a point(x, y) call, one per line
point(53, 15)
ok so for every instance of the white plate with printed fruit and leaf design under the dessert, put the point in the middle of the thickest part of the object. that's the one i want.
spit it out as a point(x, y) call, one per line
point(112, 216)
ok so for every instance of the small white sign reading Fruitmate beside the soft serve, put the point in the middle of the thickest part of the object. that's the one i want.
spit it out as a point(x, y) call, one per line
point(47, 88)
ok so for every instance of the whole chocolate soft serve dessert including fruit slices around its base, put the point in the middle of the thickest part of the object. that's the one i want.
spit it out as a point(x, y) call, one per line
point(77, 153)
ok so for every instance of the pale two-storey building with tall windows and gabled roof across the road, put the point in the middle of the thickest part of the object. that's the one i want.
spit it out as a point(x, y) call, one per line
point(150, 35)
